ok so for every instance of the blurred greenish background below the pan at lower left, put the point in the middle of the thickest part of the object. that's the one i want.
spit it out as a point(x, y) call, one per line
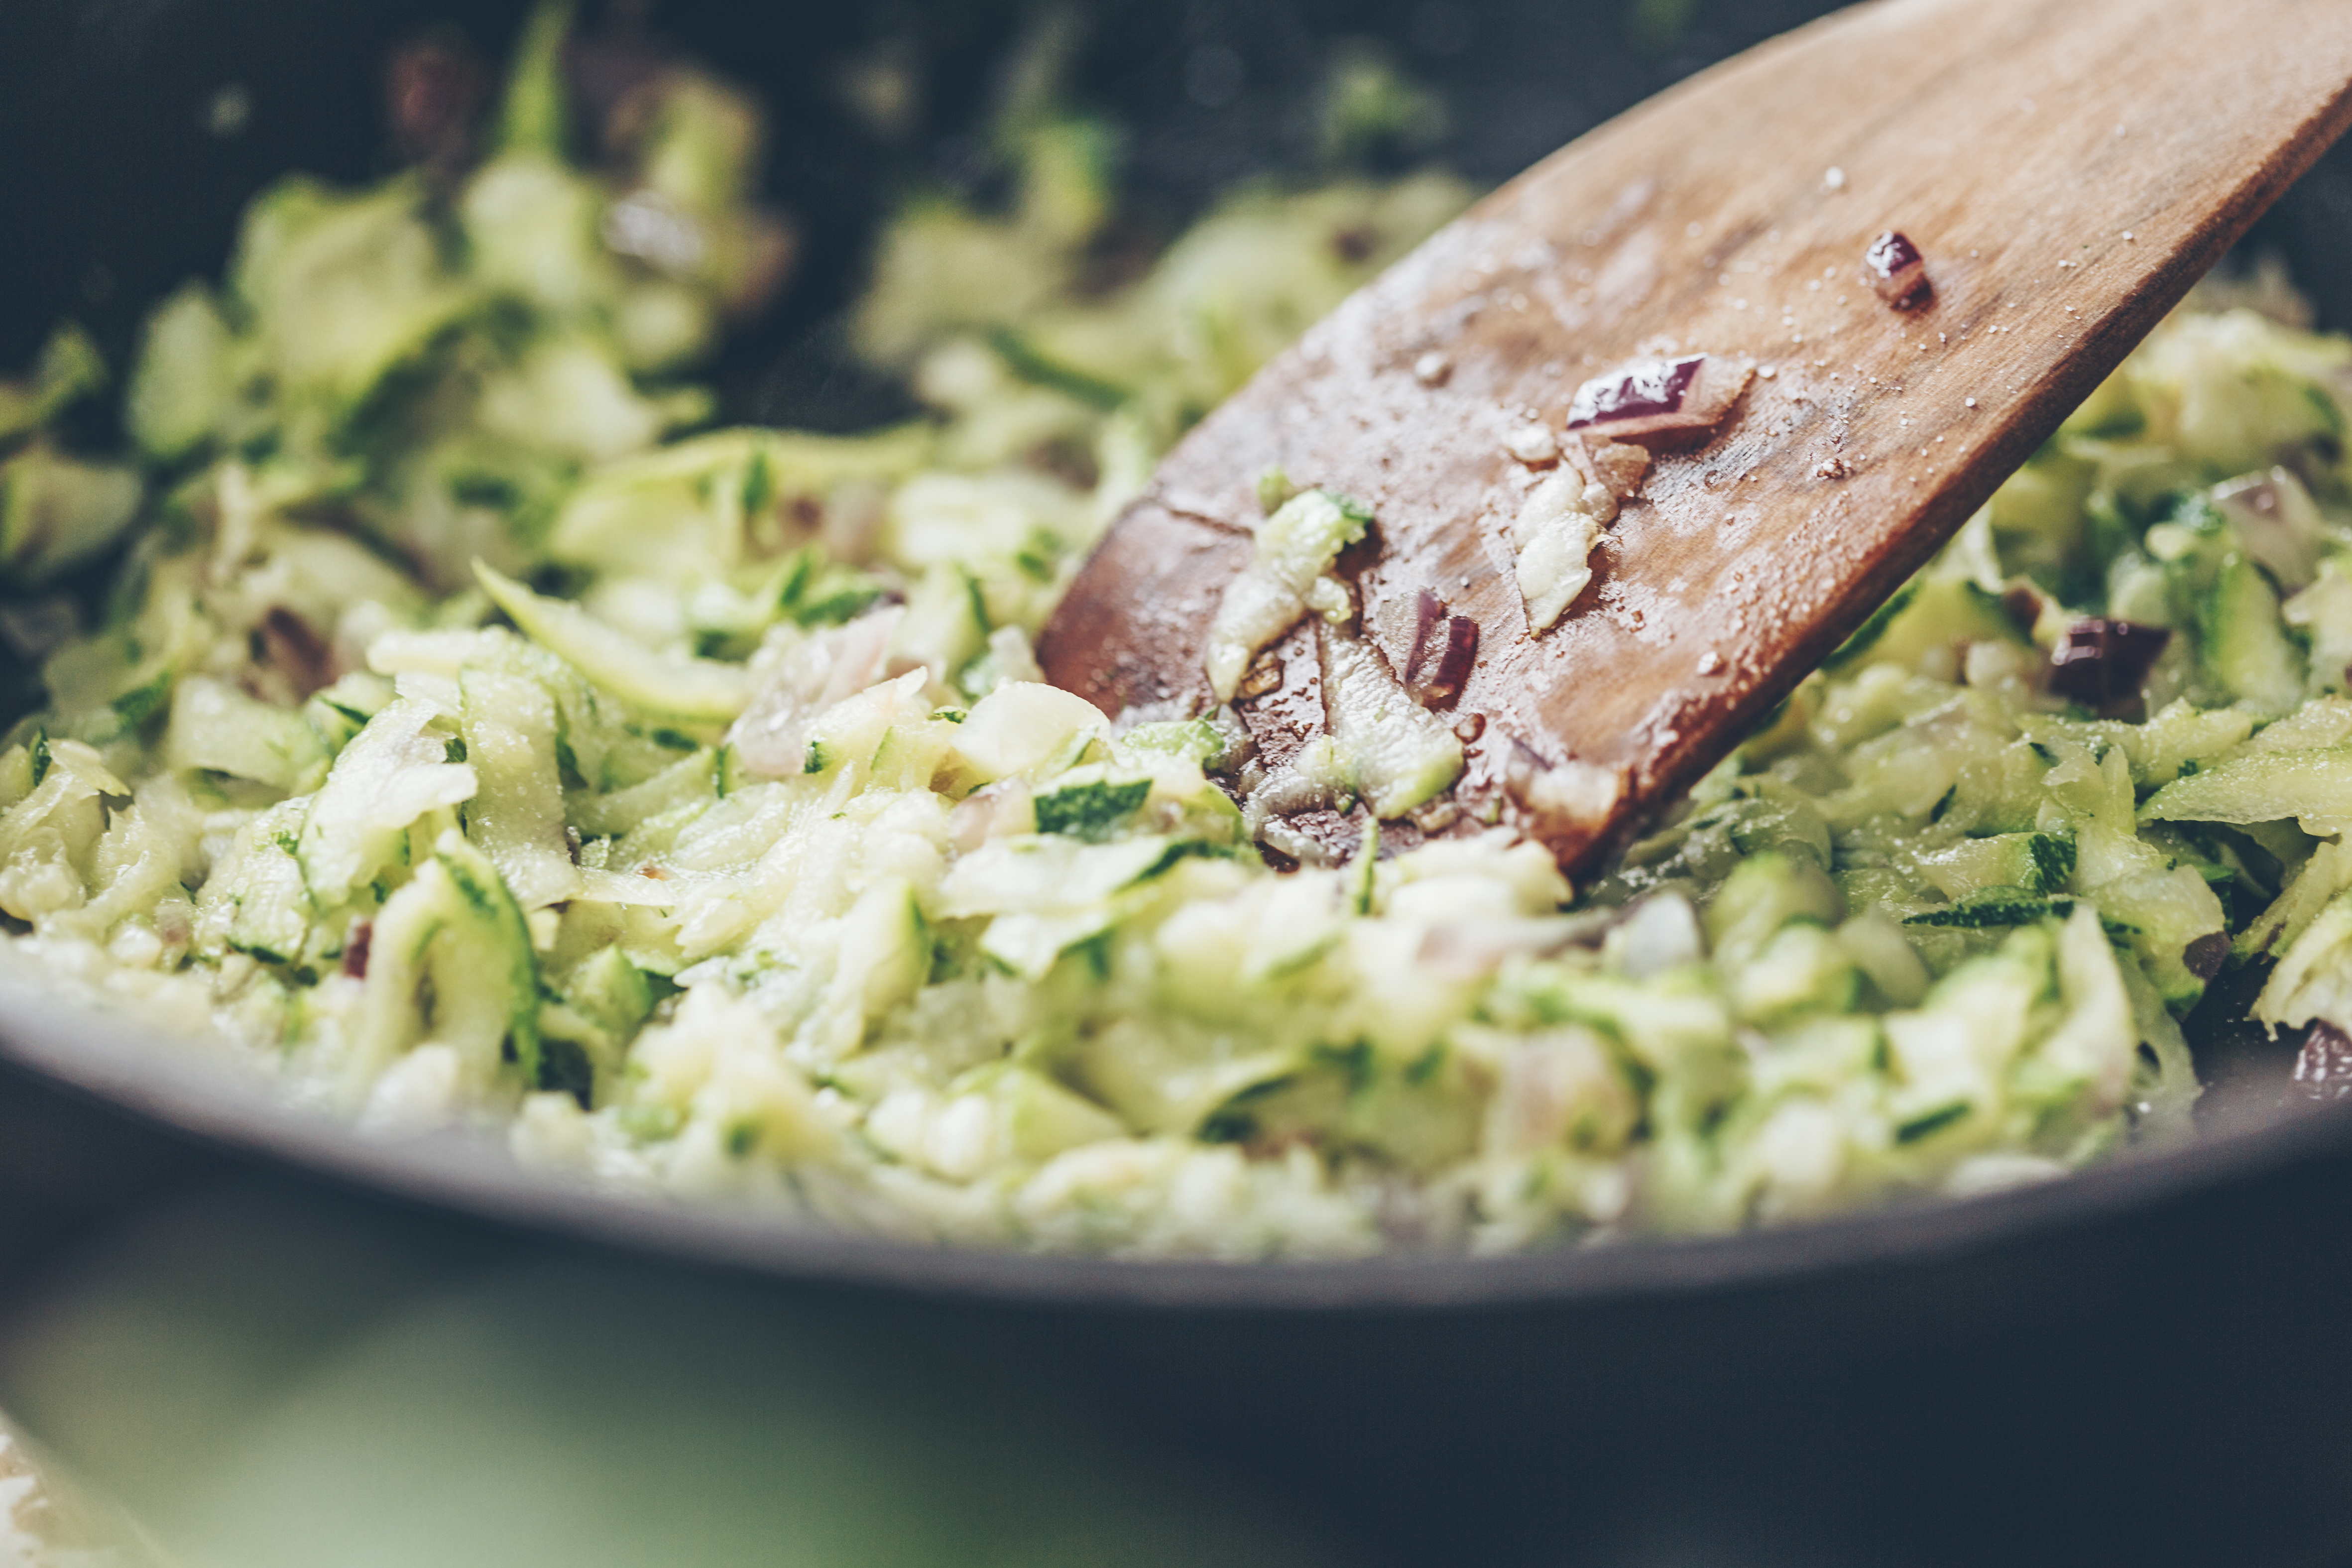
point(222, 1369)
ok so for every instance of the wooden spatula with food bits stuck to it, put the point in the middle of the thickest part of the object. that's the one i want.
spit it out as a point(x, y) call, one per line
point(2062, 168)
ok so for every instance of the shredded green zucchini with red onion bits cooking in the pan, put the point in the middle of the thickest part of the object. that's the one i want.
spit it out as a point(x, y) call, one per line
point(479, 737)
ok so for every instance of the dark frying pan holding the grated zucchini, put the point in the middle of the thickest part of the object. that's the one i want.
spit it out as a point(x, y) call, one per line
point(2149, 1362)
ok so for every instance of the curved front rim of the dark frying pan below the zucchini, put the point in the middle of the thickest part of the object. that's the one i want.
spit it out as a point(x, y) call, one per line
point(185, 1087)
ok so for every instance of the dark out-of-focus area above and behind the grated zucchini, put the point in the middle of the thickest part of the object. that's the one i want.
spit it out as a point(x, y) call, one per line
point(138, 130)
